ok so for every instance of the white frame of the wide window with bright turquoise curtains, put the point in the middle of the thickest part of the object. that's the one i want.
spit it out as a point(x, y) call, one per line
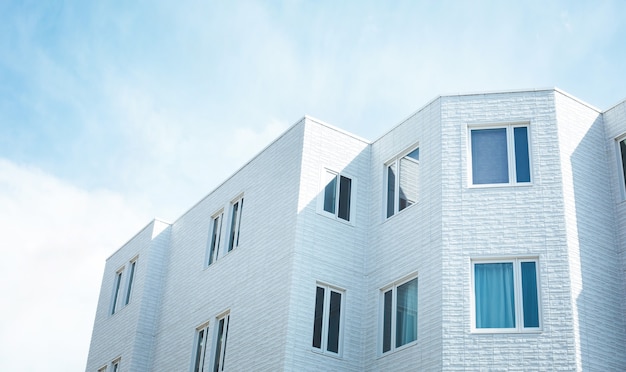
point(517, 279)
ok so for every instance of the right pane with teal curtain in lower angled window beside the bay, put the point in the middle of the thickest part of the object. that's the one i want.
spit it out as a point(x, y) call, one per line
point(406, 313)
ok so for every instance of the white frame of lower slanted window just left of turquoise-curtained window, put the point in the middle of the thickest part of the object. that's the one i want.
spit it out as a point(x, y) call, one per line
point(394, 288)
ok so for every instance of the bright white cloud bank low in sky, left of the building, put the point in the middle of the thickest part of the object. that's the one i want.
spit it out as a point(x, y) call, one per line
point(55, 241)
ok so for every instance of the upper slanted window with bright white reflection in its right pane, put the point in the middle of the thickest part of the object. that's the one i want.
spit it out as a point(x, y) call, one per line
point(402, 179)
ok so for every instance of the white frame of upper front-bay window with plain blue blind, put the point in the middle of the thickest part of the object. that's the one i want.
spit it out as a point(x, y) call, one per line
point(509, 126)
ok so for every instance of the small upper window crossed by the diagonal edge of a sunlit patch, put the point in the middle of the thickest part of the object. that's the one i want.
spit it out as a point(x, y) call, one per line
point(337, 195)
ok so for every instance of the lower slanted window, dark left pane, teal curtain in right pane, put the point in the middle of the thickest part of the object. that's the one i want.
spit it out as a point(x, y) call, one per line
point(399, 315)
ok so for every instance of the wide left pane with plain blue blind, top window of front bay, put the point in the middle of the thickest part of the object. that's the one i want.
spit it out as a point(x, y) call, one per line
point(490, 162)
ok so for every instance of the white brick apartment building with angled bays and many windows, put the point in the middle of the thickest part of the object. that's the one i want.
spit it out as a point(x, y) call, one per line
point(484, 232)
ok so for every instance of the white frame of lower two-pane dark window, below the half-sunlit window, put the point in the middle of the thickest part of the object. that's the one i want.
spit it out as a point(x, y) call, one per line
point(325, 319)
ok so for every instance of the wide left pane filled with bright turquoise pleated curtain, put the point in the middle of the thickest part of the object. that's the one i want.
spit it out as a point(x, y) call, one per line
point(495, 297)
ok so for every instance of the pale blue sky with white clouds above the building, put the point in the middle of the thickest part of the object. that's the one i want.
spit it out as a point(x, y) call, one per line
point(113, 113)
